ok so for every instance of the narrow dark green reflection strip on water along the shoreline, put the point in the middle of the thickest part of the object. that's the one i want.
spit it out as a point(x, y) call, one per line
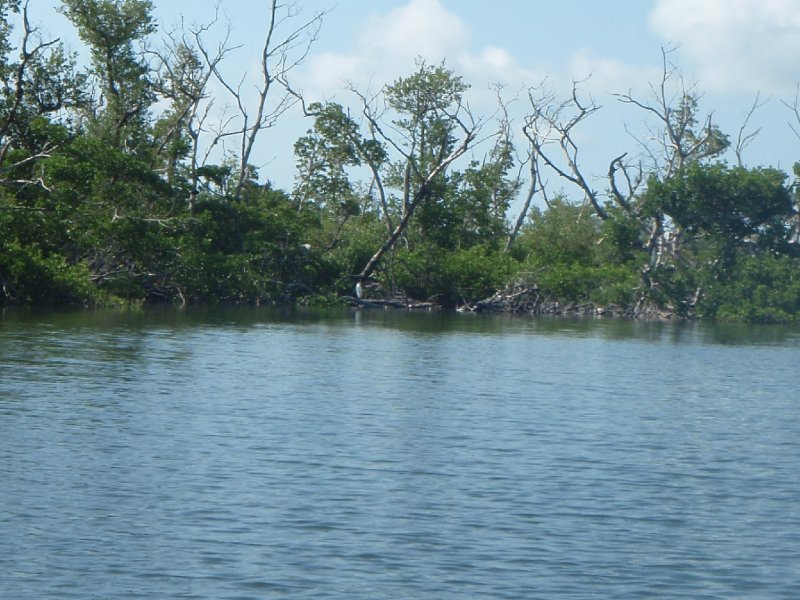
point(172, 320)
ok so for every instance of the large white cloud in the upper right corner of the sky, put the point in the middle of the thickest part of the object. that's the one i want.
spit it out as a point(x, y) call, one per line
point(735, 45)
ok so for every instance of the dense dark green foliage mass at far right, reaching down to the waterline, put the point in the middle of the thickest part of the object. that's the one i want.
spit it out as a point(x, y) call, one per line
point(734, 229)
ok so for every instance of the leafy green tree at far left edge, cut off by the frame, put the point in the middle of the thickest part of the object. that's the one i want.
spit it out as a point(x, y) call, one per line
point(39, 88)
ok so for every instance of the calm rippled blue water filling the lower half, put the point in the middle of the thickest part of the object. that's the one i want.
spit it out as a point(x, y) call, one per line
point(253, 454)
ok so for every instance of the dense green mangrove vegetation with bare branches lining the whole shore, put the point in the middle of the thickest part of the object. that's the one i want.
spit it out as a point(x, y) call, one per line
point(110, 194)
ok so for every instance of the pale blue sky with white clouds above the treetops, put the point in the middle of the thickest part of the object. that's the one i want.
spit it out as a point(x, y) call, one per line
point(733, 50)
